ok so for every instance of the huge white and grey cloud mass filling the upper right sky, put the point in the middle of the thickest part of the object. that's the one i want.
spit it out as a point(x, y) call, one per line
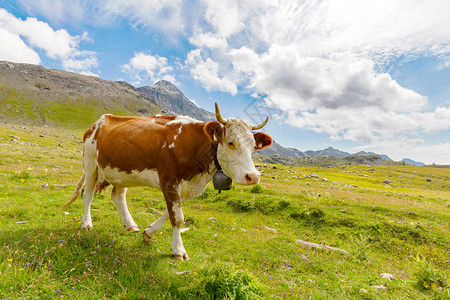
point(321, 62)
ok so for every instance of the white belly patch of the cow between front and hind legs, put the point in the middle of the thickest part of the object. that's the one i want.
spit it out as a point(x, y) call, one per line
point(116, 177)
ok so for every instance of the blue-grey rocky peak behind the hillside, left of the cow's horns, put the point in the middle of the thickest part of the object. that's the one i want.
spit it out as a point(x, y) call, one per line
point(171, 99)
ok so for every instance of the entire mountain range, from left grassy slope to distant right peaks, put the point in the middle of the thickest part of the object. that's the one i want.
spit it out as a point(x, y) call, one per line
point(33, 94)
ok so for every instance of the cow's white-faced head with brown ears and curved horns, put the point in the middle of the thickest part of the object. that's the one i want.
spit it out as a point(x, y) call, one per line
point(235, 145)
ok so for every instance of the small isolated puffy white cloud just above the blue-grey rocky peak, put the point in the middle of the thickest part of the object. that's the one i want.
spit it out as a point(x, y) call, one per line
point(143, 67)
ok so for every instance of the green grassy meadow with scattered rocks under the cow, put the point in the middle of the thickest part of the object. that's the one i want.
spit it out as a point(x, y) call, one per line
point(241, 243)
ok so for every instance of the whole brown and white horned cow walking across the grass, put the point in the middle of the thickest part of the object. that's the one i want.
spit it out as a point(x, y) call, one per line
point(172, 153)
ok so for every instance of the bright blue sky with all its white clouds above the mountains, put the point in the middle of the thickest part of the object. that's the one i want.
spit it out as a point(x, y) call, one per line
point(354, 75)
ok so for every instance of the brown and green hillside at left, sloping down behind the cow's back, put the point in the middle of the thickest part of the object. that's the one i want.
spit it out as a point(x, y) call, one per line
point(33, 94)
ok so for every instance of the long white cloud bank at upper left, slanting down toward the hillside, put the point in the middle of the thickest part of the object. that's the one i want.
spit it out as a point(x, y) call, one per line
point(59, 44)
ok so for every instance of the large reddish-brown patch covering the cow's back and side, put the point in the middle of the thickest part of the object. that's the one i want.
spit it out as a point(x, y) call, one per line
point(136, 144)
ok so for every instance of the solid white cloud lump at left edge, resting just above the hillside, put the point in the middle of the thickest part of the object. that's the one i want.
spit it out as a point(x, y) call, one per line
point(12, 48)
